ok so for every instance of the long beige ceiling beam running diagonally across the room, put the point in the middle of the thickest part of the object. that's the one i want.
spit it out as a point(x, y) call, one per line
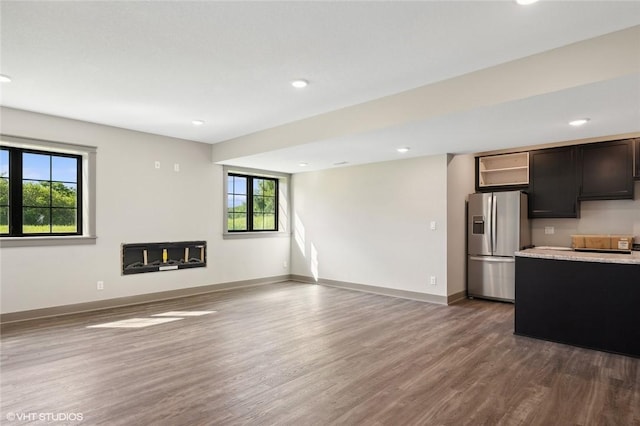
point(598, 59)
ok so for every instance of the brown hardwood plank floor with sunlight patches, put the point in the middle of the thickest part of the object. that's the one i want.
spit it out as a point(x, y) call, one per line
point(300, 354)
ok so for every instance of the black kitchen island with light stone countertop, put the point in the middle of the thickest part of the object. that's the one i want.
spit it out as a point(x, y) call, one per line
point(579, 298)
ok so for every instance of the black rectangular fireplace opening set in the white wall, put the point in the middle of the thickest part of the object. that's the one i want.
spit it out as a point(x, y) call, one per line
point(153, 257)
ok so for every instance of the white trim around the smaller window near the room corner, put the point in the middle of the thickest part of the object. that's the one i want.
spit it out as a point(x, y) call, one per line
point(284, 203)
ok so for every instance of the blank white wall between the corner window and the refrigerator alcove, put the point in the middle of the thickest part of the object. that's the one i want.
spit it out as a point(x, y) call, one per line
point(369, 224)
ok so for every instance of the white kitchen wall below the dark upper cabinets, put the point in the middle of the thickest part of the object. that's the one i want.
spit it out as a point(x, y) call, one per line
point(596, 217)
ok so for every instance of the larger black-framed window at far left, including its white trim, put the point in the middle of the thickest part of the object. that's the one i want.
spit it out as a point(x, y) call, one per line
point(47, 189)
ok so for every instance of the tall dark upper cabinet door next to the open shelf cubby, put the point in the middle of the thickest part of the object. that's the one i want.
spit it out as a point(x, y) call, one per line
point(553, 189)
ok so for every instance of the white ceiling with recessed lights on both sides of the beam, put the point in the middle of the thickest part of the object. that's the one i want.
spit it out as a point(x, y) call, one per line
point(155, 66)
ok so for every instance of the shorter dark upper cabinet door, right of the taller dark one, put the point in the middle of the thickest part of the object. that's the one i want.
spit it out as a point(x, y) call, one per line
point(606, 170)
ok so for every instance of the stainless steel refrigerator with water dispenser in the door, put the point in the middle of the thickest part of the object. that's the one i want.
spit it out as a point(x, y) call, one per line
point(498, 226)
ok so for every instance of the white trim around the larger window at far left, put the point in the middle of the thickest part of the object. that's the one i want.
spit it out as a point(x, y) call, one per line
point(88, 154)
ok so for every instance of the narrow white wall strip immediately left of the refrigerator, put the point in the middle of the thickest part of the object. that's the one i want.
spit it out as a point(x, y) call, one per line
point(460, 183)
